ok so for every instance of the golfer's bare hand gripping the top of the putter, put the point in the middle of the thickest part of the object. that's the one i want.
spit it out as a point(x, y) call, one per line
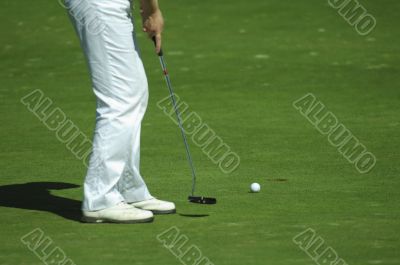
point(153, 24)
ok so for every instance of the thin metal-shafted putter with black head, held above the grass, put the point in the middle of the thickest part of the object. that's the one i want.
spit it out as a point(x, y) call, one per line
point(192, 197)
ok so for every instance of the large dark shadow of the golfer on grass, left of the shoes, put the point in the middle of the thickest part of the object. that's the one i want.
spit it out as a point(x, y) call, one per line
point(37, 196)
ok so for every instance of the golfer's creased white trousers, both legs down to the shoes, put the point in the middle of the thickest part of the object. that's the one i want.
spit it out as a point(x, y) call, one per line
point(106, 34)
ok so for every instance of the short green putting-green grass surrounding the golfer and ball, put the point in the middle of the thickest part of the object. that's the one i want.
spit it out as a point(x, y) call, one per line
point(248, 102)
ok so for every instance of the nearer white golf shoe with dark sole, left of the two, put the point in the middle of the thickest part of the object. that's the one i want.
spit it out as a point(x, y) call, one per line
point(120, 213)
